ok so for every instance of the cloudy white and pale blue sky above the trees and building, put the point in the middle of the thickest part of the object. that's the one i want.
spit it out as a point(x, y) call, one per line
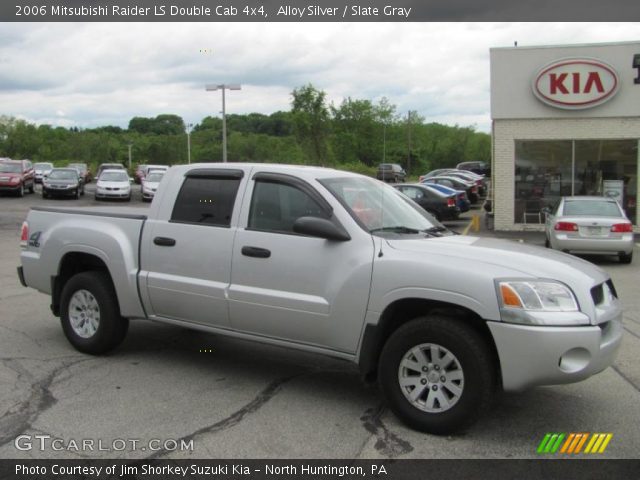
point(96, 74)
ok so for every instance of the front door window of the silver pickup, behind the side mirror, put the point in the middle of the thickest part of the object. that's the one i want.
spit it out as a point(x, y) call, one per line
point(276, 206)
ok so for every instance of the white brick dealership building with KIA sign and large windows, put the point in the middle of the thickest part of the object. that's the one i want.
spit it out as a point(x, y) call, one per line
point(566, 121)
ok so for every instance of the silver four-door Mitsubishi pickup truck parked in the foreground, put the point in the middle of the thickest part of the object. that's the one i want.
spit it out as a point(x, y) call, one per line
point(335, 263)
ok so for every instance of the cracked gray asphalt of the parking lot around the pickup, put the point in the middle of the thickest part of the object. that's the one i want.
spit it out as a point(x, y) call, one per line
point(237, 399)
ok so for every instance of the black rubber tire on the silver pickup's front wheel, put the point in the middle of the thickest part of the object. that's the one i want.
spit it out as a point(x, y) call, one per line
point(475, 365)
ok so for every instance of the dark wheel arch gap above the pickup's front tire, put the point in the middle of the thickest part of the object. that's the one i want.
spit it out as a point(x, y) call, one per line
point(402, 311)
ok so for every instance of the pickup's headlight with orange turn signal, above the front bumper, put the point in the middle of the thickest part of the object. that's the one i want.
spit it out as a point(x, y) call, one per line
point(538, 302)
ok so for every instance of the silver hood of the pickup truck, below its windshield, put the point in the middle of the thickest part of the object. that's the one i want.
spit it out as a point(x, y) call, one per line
point(523, 260)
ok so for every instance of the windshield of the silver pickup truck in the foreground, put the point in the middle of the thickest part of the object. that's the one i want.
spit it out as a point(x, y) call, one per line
point(379, 207)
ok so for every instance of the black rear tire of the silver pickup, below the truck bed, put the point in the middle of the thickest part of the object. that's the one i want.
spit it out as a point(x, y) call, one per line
point(111, 327)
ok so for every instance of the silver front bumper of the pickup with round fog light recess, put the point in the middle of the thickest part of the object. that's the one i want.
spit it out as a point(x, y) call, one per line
point(538, 355)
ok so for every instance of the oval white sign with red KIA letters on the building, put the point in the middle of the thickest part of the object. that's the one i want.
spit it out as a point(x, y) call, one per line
point(576, 83)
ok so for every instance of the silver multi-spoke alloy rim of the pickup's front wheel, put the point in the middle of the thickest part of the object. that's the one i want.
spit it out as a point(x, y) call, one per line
point(431, 378)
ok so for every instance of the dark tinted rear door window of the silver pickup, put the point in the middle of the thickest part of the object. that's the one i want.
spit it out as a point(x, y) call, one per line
point(206, 201)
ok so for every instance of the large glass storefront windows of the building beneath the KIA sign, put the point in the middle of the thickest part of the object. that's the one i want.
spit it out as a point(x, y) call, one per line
point(545, 170)
